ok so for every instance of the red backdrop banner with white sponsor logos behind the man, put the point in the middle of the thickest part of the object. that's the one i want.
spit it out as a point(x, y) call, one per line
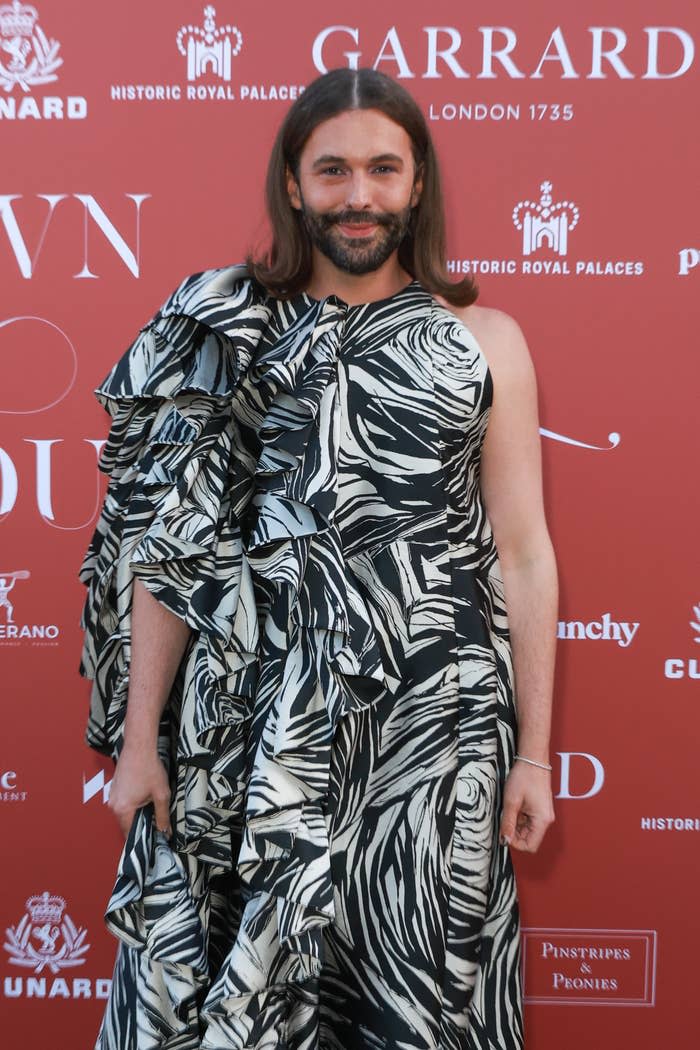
point(135, 140)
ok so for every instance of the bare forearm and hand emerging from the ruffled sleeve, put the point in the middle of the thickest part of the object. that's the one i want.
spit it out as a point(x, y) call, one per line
point(158, 643)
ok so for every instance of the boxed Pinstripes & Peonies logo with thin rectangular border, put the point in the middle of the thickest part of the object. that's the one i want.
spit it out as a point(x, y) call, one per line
point(604, 968)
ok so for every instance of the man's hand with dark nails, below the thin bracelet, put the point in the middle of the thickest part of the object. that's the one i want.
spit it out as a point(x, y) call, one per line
point(527, 807)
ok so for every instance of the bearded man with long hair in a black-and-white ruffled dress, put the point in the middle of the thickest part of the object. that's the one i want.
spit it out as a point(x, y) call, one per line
point(323, 610)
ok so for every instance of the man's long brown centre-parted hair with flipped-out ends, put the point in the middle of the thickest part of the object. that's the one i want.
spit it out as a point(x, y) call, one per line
point(286, 268)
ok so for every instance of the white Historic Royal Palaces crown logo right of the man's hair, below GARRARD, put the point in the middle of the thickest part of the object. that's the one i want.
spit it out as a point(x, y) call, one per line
point(545, 226)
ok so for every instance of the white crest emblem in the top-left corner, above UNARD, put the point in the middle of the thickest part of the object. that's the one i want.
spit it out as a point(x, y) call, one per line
point(32, 58)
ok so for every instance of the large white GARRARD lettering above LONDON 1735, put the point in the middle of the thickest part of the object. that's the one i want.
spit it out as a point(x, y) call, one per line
point(668, 53)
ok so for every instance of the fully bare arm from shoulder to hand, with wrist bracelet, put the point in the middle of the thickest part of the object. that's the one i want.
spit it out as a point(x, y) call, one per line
point(512, 488)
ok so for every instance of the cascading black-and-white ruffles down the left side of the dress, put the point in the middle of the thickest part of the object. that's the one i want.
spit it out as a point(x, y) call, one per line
point(223, 464)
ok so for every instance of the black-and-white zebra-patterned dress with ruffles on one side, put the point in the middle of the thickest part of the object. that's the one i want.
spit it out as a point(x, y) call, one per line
point(300, 481)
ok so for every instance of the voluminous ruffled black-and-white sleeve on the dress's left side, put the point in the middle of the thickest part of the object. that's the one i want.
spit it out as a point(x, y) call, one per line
point(168, 517)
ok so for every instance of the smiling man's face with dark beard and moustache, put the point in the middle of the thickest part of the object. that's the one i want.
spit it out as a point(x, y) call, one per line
point(356, 188)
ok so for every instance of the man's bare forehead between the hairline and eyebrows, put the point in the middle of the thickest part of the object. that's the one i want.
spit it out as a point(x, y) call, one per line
point(357, 135)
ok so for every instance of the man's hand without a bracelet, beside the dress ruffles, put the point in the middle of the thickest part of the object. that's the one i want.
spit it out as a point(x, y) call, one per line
point(140, 779)
